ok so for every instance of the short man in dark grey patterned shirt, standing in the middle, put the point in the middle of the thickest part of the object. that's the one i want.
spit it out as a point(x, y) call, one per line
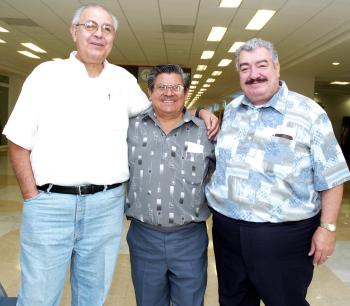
point(170, 158)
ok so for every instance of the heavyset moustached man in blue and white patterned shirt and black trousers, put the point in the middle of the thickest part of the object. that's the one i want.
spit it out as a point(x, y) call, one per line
point(277, 188)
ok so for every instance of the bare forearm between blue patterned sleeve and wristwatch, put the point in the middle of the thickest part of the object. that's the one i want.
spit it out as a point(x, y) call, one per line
point(331, 202)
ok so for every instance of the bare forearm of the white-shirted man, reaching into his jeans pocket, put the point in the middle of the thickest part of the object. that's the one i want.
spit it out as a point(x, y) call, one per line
point(20, 160)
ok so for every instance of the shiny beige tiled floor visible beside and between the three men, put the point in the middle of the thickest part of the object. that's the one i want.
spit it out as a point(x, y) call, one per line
point(330, 287)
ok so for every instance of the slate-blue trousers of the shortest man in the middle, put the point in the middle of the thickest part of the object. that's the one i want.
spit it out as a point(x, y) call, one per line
point(168, 267)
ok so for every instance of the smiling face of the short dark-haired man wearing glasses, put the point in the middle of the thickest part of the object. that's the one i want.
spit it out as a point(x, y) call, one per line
point(167, 102)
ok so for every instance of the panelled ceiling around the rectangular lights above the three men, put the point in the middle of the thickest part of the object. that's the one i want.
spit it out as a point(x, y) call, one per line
point(308, 34)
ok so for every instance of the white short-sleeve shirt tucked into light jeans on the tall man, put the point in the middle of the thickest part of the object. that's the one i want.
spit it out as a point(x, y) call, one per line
point(76, 126)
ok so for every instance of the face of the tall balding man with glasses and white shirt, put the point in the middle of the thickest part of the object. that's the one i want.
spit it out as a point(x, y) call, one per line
point(93, 46)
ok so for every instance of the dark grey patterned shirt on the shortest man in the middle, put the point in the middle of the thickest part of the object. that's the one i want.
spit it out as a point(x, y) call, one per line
point(168, 172)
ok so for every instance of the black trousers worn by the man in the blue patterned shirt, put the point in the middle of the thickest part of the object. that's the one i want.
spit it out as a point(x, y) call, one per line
point(263, 261)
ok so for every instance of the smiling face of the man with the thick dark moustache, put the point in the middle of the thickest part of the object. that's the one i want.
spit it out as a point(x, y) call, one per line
point(259, 76)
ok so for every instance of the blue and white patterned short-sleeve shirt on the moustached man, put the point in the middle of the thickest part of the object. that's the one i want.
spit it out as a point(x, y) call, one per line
point(272, 161)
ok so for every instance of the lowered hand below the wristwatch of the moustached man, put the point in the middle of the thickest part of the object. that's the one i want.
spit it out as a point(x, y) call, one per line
point(322, 245)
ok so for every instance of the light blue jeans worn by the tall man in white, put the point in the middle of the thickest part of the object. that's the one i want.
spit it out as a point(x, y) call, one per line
point(59, 230)
